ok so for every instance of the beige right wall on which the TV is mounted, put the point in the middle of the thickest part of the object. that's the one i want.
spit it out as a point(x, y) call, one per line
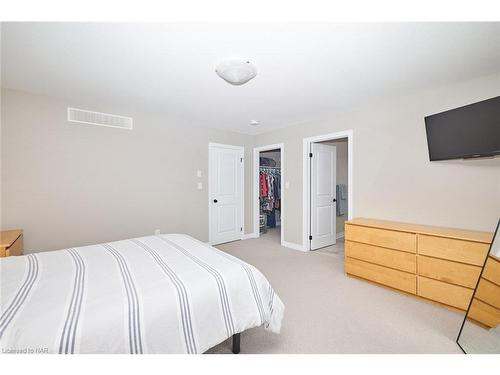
point(393, 178)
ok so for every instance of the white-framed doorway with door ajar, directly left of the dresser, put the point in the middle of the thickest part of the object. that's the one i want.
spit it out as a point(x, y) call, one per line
point(327, 191)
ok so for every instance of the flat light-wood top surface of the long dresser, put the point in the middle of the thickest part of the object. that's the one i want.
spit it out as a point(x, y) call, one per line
point(461, 234)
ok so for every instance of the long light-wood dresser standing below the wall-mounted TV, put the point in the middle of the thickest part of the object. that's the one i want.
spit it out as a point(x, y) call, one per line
point(438, 264)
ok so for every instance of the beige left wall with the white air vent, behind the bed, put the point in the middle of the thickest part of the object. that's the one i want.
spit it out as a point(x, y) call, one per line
point(69, 184)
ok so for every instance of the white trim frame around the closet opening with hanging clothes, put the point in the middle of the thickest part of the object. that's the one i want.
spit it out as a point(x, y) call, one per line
point(256, 189)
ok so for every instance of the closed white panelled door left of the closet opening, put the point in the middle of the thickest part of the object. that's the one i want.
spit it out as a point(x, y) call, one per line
point(226, 198)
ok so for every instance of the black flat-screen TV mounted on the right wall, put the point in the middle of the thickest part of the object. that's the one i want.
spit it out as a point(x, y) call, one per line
point(466, 132)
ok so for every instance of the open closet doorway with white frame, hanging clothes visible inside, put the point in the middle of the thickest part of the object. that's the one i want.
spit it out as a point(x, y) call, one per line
point(268, 192)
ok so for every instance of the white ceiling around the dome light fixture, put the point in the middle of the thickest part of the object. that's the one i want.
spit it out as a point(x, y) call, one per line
point(305, 71)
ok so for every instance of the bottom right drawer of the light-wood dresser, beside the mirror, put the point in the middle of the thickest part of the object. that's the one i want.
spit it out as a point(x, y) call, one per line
point(452, 295)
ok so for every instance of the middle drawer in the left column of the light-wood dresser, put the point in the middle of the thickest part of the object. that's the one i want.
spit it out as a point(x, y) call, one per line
point(391, 258)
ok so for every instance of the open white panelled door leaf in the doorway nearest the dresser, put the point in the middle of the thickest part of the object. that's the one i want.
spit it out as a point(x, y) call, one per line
point(323, 195)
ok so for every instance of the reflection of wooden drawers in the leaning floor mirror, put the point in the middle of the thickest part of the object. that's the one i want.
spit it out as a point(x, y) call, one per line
point(485, 307)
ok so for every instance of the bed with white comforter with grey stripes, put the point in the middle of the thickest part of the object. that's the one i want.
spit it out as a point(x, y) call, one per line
point(157, 294)
